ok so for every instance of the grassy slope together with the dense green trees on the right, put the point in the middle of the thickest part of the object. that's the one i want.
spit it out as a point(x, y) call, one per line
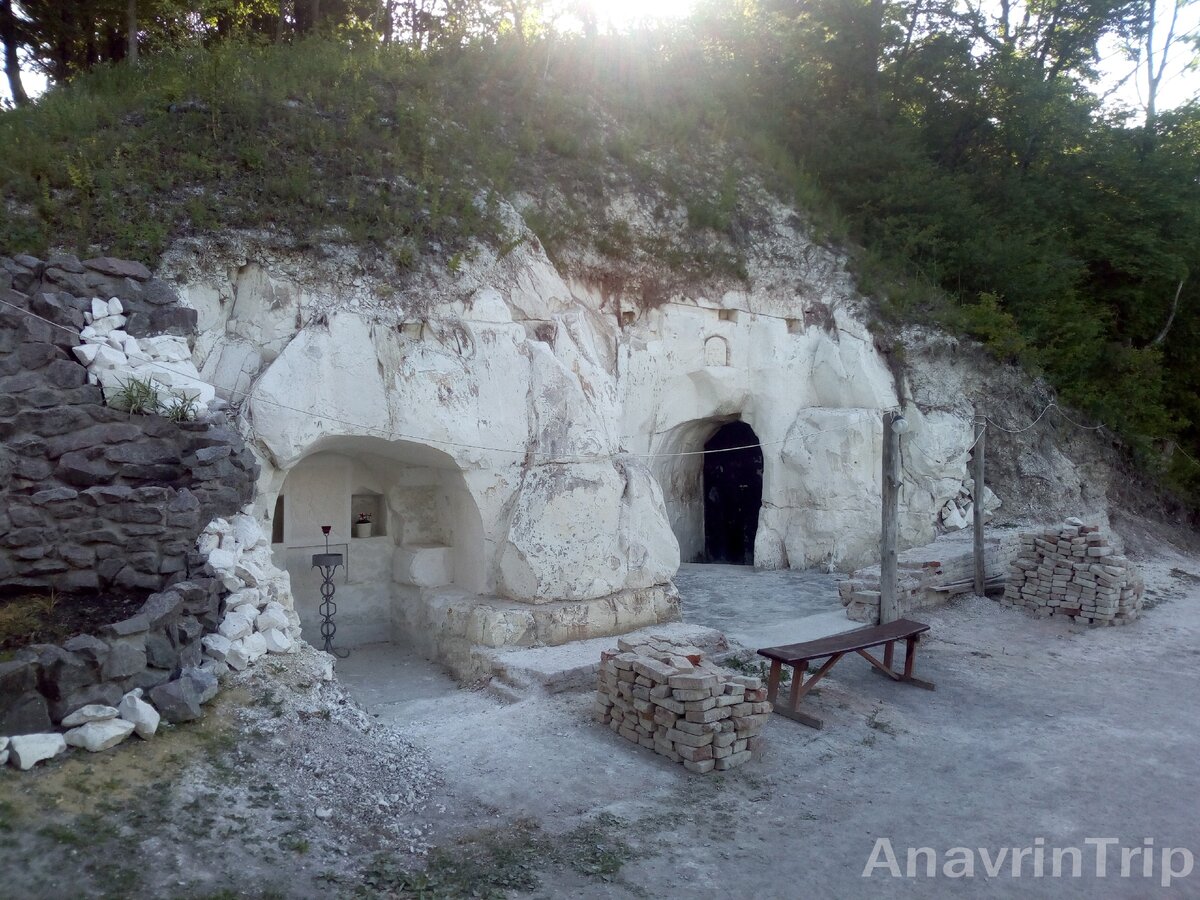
point(983, 190)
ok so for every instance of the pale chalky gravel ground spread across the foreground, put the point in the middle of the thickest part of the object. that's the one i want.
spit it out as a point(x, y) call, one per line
point(291, 789)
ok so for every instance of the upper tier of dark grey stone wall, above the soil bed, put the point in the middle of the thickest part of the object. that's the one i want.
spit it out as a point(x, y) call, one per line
point(93, 499)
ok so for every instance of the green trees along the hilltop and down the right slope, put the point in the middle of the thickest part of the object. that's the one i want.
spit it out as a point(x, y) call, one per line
point(962, 145)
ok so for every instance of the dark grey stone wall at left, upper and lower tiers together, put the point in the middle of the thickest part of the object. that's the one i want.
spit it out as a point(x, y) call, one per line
point(104, 503)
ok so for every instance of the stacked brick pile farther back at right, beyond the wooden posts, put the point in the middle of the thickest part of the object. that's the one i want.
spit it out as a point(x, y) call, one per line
point(1073, 572)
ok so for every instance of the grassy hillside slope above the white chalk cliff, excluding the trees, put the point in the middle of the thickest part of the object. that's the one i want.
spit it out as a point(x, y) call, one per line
point(399, 153)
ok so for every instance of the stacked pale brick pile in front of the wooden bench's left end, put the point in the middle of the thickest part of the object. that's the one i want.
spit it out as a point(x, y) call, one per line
point(669, 699)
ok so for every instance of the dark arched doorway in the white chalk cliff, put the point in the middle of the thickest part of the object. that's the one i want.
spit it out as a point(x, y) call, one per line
point(733, 484)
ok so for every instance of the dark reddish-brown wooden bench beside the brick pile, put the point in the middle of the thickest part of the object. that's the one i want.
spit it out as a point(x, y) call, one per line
point(860, 641)
